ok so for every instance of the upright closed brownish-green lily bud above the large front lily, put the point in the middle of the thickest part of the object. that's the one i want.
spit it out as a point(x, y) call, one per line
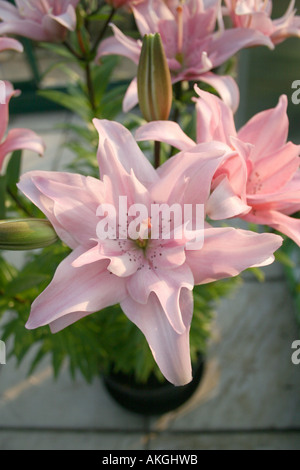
point(154, 80)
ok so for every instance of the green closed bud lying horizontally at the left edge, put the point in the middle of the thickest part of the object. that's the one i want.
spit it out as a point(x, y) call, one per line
point(26, 234)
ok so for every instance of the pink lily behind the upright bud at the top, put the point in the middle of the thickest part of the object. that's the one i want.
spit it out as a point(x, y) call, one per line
point(193, 46)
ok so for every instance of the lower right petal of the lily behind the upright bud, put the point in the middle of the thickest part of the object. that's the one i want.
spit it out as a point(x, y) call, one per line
point(226, 87)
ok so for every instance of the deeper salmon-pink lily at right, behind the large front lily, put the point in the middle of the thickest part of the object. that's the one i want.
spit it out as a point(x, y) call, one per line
point(264, 173)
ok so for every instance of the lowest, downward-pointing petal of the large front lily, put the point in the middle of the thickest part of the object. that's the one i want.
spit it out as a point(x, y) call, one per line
point(171, 350)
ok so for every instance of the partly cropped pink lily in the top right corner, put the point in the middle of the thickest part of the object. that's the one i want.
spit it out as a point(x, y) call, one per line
point(256, 15)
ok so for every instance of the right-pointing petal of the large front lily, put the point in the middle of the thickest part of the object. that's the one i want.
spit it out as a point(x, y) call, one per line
point(227, 252)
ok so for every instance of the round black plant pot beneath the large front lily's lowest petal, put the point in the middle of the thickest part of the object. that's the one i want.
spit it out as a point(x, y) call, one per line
point(154, 397)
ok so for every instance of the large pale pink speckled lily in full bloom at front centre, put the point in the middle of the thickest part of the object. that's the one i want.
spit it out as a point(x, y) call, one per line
point(151, 278)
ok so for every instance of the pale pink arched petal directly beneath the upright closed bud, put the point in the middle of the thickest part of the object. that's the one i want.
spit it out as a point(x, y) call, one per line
point(165, 131)
